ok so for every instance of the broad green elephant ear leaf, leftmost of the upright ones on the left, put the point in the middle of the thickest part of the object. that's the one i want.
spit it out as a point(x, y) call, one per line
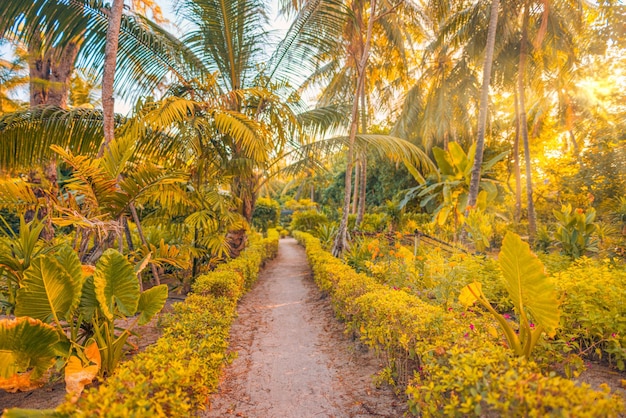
point(48, 292)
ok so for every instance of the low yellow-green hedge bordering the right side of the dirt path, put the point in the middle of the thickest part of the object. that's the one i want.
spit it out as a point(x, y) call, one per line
point(450, 363)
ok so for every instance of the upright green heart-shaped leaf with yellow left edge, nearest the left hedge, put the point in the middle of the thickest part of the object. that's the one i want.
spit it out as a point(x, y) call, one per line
point(116, 285)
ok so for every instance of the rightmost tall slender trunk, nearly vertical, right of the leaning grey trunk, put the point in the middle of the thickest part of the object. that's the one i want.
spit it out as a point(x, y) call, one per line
point(523, 124)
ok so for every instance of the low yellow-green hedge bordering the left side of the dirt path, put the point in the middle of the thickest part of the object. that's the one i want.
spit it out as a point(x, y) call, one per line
point(174, 377)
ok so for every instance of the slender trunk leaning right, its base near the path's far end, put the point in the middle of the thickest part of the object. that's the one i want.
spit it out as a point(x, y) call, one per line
point(341, 241)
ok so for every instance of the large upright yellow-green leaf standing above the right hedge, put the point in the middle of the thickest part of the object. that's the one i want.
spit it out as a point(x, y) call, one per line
point(527, 283)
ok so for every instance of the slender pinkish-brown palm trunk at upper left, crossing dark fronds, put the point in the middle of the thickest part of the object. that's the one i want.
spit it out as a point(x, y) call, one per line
point(108, 77)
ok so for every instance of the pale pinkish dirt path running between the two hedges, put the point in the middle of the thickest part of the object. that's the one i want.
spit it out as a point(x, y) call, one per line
point(293, 358)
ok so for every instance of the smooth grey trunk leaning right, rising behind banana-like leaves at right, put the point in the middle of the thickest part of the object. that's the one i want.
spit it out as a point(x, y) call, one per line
point(484, 99)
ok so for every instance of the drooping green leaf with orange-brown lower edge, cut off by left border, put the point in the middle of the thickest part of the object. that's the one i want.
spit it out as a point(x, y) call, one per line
point(27, 350)
